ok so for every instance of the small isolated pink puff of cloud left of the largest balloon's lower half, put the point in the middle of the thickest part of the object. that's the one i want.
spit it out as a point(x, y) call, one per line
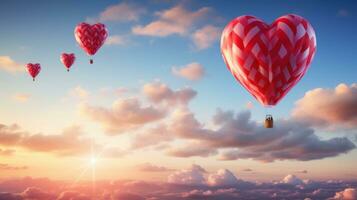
point(193, 71)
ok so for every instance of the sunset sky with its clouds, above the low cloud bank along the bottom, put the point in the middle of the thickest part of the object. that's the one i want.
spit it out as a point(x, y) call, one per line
point(159, 101)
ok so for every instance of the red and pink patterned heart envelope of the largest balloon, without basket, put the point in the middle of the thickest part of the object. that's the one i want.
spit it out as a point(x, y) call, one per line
point(268, 60)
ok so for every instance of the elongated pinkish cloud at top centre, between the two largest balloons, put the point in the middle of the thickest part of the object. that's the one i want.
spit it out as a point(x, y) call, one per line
point(176, 20)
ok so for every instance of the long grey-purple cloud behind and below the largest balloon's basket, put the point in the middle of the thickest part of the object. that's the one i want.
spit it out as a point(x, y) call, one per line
point(244, 138)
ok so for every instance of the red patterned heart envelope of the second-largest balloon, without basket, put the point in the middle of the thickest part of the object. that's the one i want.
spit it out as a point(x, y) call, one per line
point(90, 37)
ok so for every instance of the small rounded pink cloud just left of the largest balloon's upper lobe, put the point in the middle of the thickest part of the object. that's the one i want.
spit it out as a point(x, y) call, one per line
point(206, 36)
